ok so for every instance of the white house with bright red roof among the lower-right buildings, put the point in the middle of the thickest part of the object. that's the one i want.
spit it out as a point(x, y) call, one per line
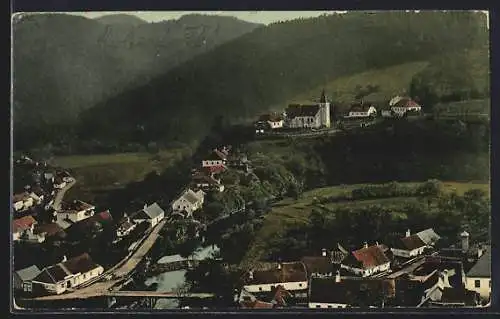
point(366, 261)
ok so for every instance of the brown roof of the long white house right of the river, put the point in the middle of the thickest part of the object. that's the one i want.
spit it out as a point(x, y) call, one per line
point(289, 272)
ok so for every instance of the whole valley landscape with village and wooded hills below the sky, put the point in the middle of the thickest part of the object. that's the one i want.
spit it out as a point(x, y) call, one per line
point(214, 163)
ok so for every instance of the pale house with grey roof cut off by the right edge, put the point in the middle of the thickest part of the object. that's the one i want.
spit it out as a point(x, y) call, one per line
point(478, 278)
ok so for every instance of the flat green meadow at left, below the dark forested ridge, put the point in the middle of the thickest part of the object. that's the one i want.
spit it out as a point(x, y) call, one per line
point(100, 173)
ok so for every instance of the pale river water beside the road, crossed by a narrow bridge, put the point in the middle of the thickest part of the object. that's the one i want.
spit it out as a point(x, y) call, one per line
point(169, 281)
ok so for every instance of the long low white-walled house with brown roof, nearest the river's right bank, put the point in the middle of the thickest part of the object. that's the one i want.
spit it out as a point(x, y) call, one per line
point(292, 276)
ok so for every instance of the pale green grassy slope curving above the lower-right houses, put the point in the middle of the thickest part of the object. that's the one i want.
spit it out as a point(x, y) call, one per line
point(289, 212)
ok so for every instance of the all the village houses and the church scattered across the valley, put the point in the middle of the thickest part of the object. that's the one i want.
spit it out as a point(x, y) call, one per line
point(411, 272)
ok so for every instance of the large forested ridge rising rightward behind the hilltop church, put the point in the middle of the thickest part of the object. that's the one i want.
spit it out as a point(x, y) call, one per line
point(247, 75)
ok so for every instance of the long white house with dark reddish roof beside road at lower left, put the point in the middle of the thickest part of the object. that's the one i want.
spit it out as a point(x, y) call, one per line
point(70, 273)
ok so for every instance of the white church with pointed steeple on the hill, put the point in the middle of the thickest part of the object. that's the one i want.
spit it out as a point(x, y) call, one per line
point(309, 115)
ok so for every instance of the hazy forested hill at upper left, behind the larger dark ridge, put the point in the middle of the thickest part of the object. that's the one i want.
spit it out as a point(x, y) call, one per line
point(64, 63)
